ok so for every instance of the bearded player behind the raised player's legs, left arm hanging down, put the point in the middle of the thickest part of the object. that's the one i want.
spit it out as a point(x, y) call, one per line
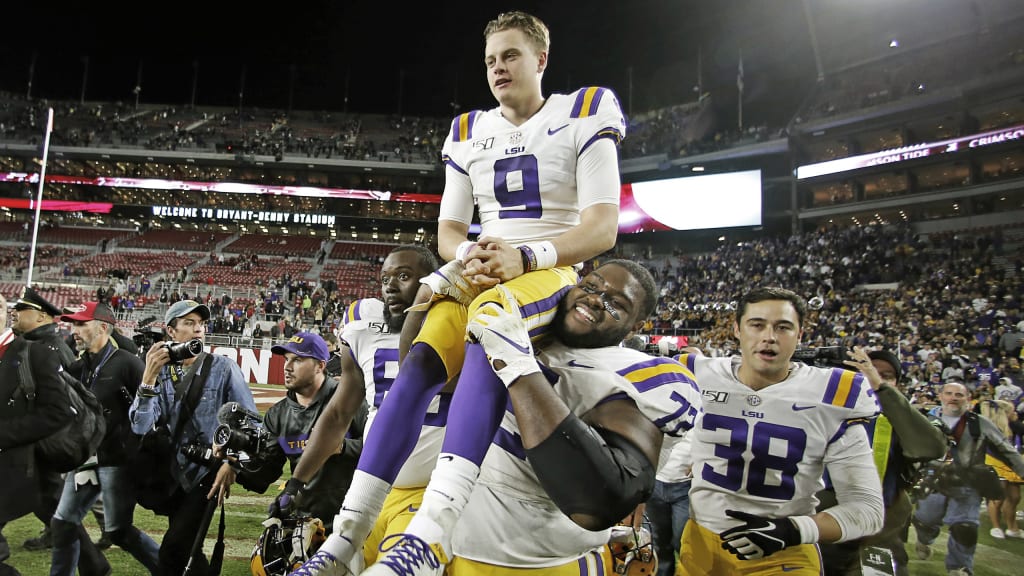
point(370, 363)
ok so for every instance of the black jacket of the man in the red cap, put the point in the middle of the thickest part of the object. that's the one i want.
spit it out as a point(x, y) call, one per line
point(113, 375)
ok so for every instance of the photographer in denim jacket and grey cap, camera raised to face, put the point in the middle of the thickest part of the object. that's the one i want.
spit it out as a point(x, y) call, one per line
point(172, 371)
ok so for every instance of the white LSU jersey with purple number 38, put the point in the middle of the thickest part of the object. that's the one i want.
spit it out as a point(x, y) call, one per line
point(764, 451)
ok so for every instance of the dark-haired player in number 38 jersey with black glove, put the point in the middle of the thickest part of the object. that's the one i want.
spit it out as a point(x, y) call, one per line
point(769, 429)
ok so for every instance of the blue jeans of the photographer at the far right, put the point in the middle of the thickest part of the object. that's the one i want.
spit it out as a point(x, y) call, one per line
point(962, 508)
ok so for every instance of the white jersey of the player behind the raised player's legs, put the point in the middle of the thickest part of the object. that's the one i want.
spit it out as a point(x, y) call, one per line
point(375, 350)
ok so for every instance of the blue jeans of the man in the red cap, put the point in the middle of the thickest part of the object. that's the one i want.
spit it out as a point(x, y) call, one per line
point(119, 509)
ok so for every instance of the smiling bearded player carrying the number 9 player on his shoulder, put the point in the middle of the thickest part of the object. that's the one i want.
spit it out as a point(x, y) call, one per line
point(538, 508)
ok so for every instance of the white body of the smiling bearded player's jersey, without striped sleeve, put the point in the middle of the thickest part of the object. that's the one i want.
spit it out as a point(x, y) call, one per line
point(510, 520)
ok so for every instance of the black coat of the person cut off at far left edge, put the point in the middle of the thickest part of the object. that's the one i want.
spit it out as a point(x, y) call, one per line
point(21, 428)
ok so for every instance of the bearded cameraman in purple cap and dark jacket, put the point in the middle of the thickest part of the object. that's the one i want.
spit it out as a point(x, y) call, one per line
point(291, 420)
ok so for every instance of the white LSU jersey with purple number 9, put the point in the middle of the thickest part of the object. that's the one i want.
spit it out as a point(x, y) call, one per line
point(524, 179)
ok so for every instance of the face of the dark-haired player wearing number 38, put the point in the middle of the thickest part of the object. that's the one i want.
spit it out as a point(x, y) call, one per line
point(769, 334)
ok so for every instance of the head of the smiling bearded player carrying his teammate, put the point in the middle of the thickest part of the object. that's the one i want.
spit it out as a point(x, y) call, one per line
point(586, 316)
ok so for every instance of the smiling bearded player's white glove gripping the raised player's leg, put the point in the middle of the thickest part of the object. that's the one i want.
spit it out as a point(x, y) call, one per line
point(503, 335)
